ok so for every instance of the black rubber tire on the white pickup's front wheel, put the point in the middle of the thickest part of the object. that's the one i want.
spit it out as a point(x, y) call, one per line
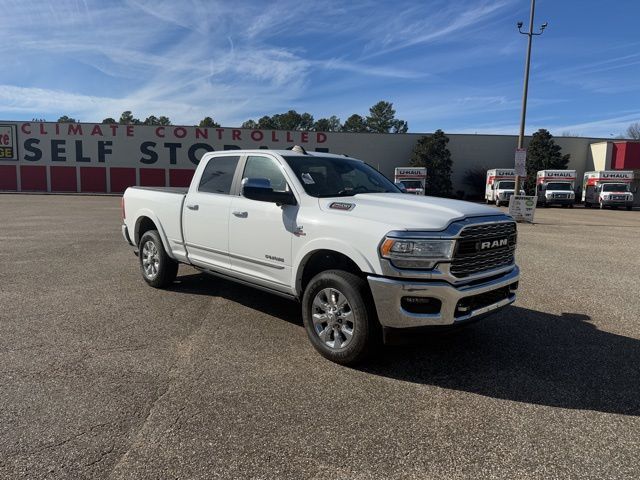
point(366, 331)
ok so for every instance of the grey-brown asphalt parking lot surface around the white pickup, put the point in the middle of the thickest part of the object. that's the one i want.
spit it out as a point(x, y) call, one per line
point(104, 377)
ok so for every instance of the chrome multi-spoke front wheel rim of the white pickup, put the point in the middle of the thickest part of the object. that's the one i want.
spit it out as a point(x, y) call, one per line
point(332, 318)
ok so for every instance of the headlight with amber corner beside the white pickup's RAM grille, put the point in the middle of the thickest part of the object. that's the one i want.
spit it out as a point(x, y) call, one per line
point(415, 253)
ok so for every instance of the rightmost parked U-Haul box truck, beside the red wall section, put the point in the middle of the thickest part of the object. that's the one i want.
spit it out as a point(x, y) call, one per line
point(608, 188)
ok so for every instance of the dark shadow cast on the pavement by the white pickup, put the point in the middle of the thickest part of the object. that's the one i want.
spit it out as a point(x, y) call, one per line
point(518, 354)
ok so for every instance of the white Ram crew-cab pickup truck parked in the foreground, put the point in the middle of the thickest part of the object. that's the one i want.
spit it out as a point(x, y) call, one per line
point(335, 234)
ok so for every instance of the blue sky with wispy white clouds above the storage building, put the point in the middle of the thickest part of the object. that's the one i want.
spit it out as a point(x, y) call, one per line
point(455, 65)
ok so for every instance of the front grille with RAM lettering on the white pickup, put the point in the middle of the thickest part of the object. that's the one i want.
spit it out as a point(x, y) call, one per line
point(484, 247)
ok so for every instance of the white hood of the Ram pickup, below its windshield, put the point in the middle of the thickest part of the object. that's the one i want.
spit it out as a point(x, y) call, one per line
point(406, 212)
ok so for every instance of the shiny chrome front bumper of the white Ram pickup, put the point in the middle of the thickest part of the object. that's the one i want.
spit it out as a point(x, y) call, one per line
point(388, 293)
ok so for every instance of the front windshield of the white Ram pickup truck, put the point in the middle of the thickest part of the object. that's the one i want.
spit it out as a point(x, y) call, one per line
point(338, 177)
